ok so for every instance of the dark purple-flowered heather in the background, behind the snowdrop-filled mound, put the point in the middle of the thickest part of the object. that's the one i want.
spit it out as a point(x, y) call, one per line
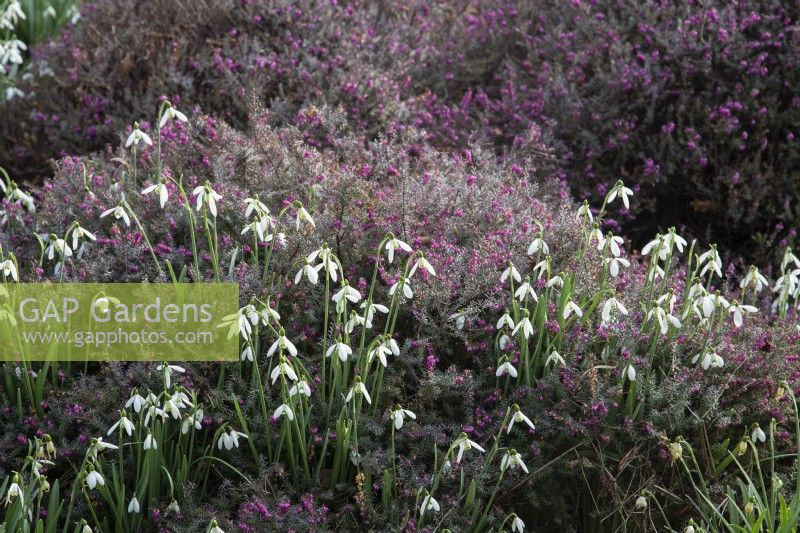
point(693, 102)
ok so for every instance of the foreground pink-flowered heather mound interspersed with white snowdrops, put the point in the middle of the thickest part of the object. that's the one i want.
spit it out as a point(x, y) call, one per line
point(511, 366)
